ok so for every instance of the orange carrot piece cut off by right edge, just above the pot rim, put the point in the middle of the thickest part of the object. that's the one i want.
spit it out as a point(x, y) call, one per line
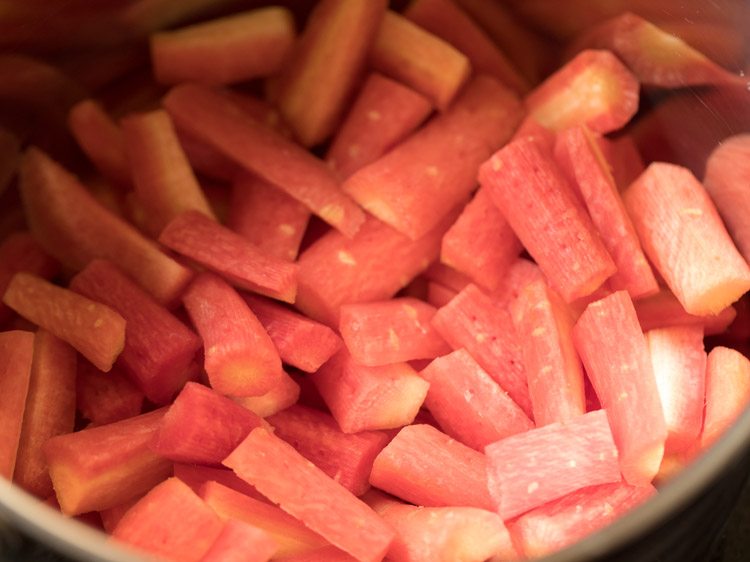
point(727, 392)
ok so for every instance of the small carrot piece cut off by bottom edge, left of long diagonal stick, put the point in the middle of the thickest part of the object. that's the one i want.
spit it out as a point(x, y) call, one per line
point(240, 542)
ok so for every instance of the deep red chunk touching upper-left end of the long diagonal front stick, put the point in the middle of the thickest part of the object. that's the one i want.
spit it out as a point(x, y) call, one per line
point(202, 427)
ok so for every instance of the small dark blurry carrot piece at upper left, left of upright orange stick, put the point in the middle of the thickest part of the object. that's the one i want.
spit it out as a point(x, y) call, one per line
point(101, 139)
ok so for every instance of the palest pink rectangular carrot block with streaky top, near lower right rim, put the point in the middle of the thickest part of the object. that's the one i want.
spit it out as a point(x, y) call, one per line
point(530, 469)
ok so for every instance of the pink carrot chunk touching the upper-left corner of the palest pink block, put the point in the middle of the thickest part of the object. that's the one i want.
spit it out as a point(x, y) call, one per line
point(468, 404)
